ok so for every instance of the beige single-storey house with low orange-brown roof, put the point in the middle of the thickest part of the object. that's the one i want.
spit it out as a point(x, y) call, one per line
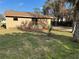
point(16, 19)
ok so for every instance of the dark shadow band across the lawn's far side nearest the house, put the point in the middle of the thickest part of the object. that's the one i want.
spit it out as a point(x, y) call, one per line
point(60, 39)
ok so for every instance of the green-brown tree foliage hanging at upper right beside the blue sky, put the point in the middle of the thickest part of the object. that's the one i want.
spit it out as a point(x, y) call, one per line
point(58, 6)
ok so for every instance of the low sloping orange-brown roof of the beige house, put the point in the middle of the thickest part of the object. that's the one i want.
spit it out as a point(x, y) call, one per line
point(25, 14)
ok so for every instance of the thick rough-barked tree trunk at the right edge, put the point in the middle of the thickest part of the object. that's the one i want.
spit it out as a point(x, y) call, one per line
point(76, 21)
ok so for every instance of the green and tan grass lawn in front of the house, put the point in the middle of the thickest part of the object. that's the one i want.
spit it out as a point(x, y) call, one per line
point(16, 44)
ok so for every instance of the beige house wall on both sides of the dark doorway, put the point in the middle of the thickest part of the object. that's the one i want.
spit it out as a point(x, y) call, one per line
point(10, 23)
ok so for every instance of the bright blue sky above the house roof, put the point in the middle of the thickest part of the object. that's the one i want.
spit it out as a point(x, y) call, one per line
point(20, 5)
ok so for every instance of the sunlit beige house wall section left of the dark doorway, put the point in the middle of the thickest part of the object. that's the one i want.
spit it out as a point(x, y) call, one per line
point(10, 23)
